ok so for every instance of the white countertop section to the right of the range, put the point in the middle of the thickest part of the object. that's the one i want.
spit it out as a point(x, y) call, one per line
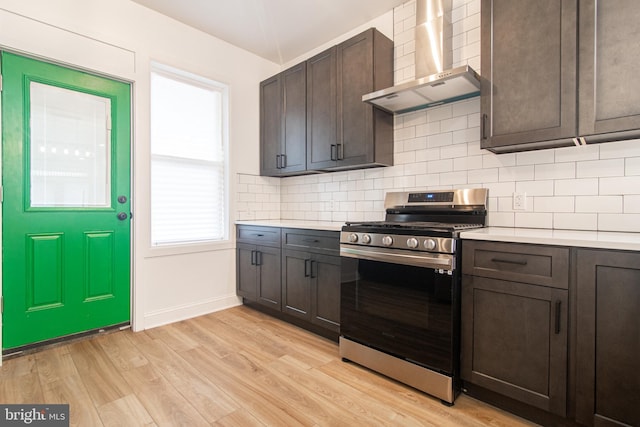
point(586, 239)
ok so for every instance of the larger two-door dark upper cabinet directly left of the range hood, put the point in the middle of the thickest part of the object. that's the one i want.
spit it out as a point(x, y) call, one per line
point(342, 131)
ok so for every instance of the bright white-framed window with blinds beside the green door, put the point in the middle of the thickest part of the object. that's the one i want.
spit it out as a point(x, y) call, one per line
point(188, 158)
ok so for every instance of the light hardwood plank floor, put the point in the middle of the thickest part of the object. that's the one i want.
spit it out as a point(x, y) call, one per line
point(236, 367)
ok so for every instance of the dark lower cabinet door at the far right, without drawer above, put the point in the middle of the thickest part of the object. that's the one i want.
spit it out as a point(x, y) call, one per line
point(608, 338)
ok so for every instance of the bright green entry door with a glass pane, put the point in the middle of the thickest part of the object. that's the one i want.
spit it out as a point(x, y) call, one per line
point(66, 208)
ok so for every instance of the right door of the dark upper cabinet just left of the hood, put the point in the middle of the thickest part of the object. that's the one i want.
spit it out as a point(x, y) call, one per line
point(355, 118)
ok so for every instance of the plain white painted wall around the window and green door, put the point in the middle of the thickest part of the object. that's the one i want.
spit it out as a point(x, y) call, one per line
point(121, 38)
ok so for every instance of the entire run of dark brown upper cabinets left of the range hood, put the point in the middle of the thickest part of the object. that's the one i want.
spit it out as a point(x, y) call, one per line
point(312, 117)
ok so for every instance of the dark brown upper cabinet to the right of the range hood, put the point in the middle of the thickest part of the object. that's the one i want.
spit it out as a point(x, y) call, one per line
point(558, 73)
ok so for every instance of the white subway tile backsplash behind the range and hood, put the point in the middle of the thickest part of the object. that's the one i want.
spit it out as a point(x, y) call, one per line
point(594, 187)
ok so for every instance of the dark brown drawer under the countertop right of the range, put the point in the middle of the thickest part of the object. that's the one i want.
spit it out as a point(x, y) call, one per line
point(535, 264)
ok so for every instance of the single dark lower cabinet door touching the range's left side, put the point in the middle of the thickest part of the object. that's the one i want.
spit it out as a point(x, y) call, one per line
point(325, 289)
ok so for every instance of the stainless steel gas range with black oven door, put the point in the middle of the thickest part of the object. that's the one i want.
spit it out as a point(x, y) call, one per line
point(400, 290)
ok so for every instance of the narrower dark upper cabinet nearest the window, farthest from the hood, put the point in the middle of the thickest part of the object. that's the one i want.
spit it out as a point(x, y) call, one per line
point(283, 129)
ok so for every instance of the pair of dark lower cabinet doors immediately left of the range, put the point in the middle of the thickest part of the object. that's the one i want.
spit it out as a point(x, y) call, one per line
point(311, 287)
